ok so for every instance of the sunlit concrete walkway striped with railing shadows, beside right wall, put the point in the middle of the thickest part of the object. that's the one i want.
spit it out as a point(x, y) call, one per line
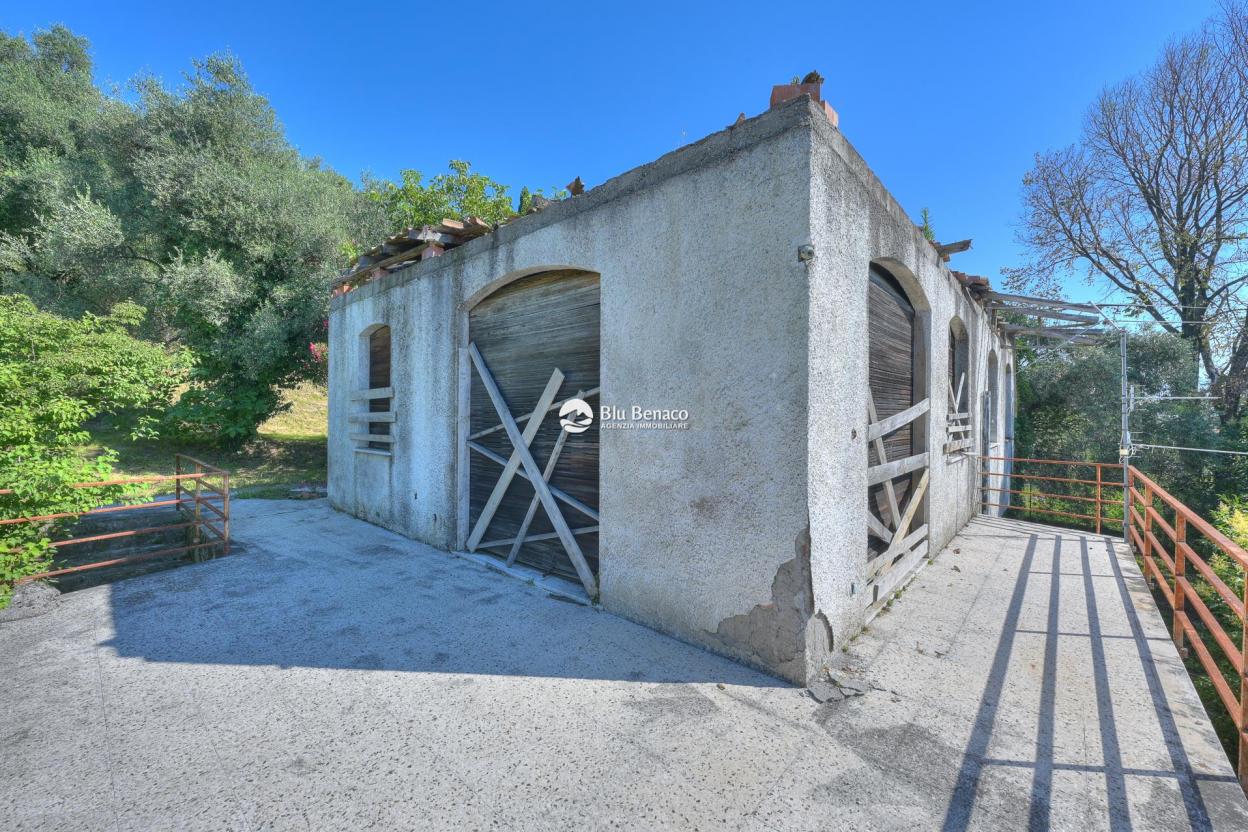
point(1033, 683)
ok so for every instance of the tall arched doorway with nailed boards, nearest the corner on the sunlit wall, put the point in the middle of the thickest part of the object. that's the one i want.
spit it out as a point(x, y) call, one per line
point(898, 412)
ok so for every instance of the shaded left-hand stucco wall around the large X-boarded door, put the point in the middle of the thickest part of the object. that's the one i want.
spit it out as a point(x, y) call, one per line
point(703, 309)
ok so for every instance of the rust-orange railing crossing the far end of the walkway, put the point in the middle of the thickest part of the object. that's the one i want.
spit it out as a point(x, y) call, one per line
point(1090, 493)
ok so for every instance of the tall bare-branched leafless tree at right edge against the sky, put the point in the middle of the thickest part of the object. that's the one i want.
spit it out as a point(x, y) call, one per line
point(1154, 200)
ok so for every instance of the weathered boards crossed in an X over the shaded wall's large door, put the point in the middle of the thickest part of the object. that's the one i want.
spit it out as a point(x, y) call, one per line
point(524, 457)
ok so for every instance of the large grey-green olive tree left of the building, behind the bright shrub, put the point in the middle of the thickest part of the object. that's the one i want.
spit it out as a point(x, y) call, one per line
point(188, 200)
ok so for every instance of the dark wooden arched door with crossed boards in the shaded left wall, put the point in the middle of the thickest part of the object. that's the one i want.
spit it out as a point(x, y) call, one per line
point(527, 335)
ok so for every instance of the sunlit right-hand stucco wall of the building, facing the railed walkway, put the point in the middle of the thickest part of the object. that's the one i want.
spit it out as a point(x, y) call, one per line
point(856, 223)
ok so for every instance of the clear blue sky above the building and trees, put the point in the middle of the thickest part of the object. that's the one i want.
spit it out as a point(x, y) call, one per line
point(948, 102)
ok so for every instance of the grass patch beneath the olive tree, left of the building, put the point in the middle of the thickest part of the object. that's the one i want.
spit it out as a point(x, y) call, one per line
point(290, 451)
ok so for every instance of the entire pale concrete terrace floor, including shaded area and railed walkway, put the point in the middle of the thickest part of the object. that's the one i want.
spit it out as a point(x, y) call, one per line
point(336, 677)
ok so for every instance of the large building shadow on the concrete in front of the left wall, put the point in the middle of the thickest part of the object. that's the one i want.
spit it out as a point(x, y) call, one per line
point(315, 588)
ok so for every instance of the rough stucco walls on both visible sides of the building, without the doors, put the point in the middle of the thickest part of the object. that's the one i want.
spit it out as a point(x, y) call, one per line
point(737, 533)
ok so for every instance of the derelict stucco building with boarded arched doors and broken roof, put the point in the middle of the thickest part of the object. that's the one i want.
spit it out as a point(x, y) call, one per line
point(771, 352)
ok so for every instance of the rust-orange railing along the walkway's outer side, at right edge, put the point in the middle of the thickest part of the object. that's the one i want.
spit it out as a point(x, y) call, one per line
point(1180, 564)
